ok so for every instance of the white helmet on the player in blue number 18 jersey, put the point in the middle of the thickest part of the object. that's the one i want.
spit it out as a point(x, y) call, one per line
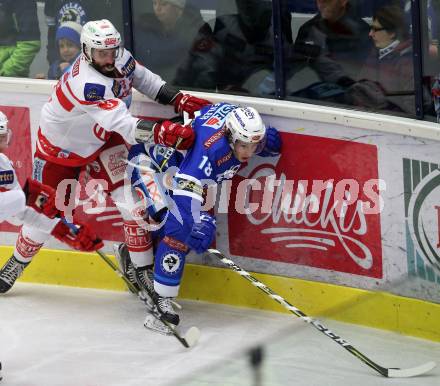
point(245, 124)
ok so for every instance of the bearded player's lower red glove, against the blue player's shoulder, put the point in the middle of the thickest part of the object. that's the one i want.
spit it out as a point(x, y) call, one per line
point(167, 133)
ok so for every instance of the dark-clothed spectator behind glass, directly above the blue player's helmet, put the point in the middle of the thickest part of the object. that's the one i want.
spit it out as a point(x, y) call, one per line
point(243, 48)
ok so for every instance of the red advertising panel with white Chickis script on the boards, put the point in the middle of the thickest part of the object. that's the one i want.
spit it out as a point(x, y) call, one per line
point(303, 219)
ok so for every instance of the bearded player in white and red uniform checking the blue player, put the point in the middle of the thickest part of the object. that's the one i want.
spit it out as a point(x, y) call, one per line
point(86, 124)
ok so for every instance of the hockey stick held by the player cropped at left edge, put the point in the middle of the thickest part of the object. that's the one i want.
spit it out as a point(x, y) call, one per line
point(192, 335)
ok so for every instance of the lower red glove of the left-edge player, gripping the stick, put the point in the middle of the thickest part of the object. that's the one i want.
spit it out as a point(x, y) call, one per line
point(82, 239)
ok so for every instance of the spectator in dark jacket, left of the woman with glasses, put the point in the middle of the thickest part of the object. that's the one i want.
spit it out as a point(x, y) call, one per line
point(334, 43)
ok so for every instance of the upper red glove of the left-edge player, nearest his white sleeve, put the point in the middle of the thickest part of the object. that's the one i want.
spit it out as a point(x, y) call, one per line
point(40, 198)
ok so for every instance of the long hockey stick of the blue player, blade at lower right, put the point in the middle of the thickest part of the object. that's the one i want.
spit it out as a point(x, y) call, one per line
point(386, 372)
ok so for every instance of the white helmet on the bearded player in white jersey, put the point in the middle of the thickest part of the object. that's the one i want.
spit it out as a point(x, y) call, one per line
point(100, 34)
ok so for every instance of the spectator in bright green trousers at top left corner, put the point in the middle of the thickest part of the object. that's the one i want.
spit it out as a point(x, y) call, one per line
point(19, 36)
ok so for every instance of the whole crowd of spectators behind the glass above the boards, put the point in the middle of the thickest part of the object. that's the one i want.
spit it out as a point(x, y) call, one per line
point(374, 55)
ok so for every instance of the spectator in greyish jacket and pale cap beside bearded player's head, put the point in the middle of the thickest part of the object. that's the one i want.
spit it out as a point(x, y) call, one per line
point(170, 39)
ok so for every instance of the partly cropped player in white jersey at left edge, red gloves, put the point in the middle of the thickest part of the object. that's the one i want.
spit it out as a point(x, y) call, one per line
point(35, 206)
